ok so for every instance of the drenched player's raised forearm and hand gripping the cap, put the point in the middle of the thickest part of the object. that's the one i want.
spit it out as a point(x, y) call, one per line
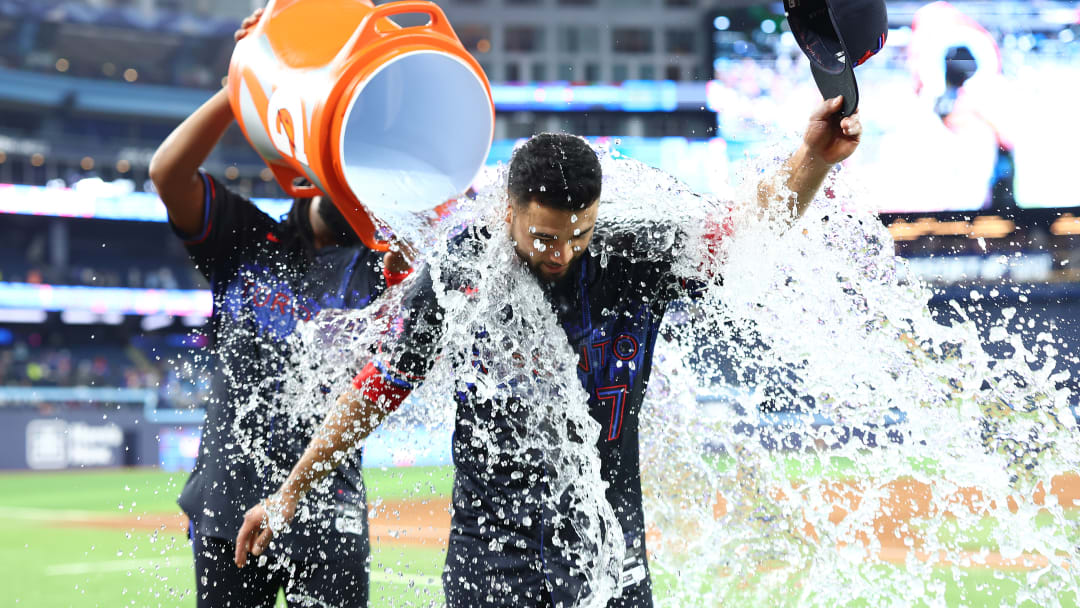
point(828, 141)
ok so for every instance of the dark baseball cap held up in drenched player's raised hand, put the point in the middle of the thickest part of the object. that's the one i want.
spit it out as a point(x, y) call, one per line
point(838, 36)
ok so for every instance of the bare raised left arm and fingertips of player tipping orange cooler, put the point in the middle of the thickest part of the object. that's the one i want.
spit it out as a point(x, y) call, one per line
point(174, 168)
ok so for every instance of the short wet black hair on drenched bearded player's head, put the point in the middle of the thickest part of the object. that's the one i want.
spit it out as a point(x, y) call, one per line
point(556, 170)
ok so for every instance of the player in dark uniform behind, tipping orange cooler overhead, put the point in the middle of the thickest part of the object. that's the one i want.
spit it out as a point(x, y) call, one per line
point(267, 278)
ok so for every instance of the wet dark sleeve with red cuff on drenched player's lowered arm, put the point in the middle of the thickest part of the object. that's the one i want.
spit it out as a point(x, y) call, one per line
point(410, 350)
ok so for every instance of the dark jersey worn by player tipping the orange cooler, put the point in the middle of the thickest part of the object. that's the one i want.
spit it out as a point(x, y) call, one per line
point(262, 293)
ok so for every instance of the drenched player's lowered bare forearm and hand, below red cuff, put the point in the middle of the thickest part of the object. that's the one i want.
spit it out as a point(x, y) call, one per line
point(354, 417)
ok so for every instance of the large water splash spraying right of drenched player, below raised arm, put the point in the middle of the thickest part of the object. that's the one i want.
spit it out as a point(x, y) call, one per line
point(817, 320)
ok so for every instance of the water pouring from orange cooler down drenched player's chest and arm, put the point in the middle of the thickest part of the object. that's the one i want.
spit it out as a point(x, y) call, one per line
point(502, 341)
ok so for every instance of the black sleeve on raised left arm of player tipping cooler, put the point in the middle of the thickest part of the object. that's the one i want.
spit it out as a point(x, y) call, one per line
point(232, 225)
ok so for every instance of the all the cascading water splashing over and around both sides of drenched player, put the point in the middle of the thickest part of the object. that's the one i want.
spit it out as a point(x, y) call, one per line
point(913, 465)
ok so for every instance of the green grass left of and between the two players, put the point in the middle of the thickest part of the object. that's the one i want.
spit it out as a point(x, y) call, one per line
point(52, 559)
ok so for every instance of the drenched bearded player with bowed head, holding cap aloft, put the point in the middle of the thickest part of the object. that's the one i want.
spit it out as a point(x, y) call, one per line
point(611, 314)
